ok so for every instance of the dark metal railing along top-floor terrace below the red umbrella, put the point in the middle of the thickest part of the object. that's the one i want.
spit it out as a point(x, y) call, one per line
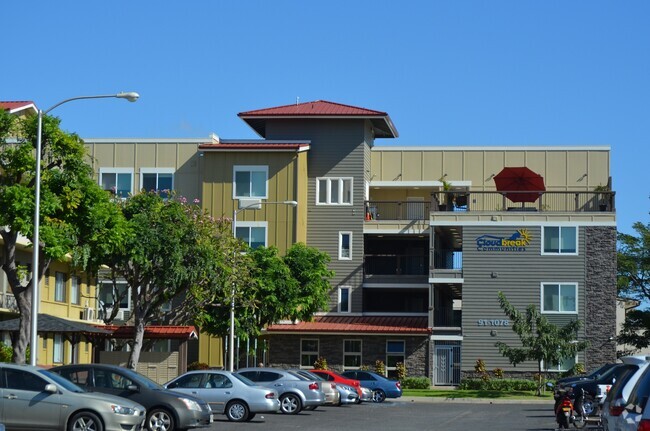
point(548, 201)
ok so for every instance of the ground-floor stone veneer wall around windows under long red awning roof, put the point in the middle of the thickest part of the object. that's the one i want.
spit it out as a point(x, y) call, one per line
point(284, 351)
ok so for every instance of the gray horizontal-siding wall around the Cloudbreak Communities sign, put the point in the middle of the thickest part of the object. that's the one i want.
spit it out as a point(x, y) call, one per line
point(519, 275)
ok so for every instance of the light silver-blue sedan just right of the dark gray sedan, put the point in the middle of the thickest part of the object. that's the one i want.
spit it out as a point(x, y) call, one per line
point(227, 393)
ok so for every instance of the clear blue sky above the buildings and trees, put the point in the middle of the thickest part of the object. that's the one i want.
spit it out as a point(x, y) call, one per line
point(448, 73)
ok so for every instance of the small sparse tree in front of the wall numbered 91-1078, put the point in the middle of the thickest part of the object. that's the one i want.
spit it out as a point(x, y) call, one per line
point(541, 341)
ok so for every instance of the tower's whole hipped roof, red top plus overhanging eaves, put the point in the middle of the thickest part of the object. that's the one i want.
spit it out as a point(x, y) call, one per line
point(382, 124)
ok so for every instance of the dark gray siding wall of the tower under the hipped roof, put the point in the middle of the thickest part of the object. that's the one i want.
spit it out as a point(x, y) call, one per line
point(338, 149)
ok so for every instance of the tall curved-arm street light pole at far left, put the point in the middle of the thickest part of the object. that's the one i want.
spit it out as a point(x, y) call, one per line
point(131, 97)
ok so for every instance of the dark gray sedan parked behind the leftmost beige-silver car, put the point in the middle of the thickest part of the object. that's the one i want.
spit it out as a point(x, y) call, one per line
point(166, 410)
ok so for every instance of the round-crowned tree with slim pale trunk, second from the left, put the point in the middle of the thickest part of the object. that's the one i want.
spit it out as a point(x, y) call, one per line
point(171, 250)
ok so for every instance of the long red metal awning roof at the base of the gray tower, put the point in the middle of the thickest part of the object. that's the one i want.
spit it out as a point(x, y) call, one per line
point(361, 324)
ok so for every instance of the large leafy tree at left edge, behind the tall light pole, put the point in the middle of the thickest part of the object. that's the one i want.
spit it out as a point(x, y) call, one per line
point(75, 213)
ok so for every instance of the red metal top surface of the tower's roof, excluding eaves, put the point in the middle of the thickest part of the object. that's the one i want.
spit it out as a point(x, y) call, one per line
point(318, 107)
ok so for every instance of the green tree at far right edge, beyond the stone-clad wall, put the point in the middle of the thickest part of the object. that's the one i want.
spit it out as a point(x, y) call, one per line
point(633, 282)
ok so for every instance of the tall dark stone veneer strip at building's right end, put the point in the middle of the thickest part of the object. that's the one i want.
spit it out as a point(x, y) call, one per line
point(600, 324)
